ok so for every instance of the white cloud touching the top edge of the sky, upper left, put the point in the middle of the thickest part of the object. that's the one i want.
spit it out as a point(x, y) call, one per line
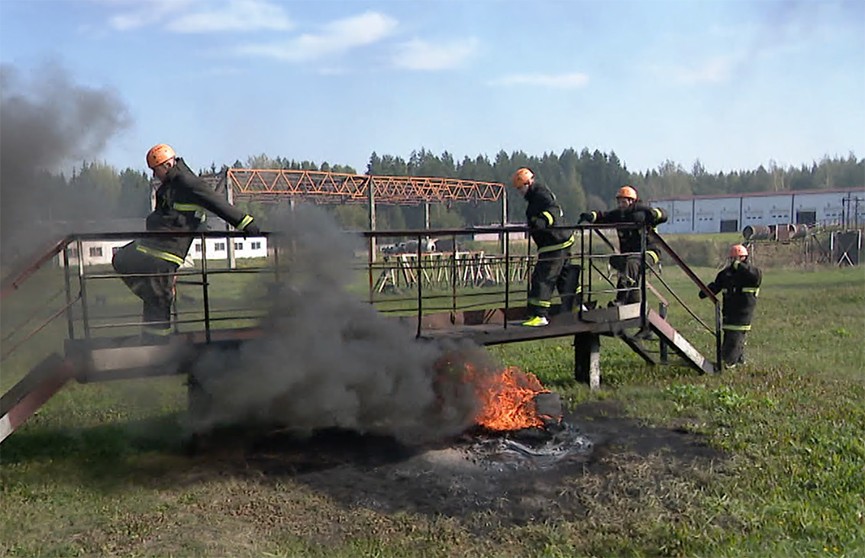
point(188, 16)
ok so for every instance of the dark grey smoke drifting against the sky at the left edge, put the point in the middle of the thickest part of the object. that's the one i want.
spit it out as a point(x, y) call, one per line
point(46, 123)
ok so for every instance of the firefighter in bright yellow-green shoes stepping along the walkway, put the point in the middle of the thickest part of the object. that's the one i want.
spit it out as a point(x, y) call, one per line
point(553, 269)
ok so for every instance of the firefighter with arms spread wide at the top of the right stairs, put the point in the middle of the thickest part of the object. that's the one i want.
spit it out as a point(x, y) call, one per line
point(630, 209)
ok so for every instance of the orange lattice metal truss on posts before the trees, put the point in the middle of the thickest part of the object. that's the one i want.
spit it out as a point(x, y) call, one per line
point(332, 187)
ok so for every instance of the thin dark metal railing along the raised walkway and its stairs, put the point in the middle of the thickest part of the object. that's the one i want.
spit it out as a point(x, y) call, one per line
point(415, 282)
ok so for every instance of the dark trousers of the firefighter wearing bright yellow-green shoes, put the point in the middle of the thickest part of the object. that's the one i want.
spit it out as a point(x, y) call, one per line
point(553, 271)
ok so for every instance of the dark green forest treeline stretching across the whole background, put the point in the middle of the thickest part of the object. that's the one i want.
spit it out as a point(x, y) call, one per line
point(581, 180)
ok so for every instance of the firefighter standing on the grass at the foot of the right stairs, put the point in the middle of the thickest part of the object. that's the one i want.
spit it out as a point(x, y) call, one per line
point(740, 282)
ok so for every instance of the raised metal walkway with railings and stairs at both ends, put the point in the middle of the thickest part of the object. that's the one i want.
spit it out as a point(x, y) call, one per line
point(97, 319)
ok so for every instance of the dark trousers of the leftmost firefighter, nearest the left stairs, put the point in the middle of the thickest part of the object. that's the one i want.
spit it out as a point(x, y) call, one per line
point(152, 280)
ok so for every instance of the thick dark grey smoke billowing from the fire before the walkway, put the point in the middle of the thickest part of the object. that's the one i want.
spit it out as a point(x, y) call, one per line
point(328, 359)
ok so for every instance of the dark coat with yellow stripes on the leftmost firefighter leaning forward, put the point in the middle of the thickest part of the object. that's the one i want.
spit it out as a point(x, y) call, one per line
point(180, 204)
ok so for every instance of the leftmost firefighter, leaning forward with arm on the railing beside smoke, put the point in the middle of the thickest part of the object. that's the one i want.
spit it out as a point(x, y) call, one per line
point(148, 265)
